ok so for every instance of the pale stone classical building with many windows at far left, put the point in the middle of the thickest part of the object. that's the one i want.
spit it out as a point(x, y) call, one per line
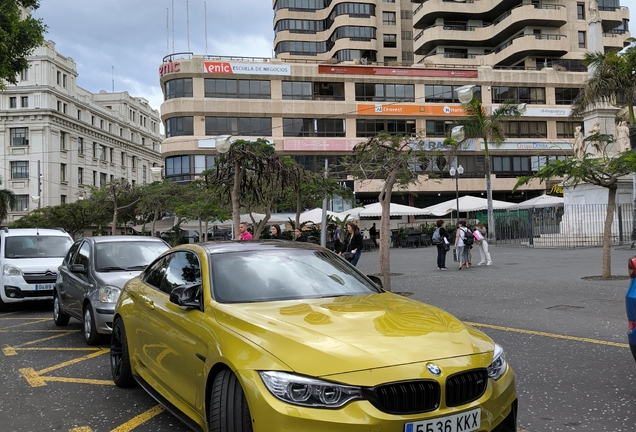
point(71, 138)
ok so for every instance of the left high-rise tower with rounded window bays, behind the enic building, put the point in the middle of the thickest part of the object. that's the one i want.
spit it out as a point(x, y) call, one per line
point(344, 30)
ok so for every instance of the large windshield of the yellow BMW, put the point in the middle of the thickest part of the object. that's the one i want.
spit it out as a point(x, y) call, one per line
point(284, 274)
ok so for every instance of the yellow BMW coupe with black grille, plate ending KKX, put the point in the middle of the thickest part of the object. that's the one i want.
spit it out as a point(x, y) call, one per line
point(271, 336)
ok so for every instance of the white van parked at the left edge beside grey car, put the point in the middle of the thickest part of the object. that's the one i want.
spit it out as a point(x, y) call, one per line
point(29, 258)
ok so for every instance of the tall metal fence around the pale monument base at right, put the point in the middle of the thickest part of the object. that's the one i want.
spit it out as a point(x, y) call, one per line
point(568, 226)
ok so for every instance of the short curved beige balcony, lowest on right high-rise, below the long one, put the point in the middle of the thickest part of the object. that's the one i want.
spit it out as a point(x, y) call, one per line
point(519, 47)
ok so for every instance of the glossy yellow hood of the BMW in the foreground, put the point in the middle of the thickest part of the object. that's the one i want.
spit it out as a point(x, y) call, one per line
point(320, 337)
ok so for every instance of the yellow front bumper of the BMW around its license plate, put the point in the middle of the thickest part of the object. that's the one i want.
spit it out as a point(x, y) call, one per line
point(498, 407)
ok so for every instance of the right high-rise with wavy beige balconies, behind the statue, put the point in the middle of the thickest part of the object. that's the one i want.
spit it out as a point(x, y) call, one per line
point(519, 33)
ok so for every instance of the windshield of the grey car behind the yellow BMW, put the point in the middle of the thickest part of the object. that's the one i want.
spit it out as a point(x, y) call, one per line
point(128, 255)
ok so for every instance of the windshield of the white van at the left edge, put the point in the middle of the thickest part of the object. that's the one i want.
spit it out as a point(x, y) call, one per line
point(37, 246)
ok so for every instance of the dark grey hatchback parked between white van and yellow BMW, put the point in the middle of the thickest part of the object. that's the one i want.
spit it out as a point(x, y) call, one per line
point(92, 275)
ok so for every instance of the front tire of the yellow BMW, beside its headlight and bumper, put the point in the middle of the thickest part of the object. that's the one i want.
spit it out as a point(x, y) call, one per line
point(228, 406)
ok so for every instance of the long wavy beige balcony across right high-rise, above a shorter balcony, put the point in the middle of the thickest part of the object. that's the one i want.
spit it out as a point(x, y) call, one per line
point(502, 28)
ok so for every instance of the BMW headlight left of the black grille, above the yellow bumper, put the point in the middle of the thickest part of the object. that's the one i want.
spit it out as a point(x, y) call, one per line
point(311, 392)
